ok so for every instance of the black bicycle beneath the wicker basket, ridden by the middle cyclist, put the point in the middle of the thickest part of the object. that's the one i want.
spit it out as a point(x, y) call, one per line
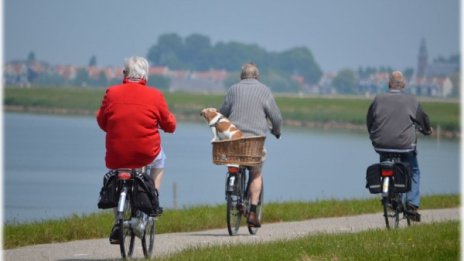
point(237, 197)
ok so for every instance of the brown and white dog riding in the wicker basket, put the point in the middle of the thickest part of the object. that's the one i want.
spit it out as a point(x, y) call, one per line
point(221, 127)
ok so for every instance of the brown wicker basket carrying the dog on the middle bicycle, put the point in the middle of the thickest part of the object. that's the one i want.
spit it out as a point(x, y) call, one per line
point(245, 151)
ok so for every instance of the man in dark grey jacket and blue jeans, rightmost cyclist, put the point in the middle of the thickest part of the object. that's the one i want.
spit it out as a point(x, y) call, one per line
point(392, 120)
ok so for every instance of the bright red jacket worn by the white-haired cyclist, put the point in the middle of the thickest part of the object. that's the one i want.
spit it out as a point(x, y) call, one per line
point(131, 114)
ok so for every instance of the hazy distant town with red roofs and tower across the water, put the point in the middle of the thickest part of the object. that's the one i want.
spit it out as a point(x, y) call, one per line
point(439, 78)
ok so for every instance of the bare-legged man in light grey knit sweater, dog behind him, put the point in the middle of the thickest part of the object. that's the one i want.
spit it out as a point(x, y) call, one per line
point(249, 104)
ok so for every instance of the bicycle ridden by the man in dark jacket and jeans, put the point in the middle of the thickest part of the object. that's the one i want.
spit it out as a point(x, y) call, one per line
point(393, 189)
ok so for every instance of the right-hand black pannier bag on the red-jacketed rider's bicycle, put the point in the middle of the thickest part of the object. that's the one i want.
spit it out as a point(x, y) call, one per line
point(145, 195)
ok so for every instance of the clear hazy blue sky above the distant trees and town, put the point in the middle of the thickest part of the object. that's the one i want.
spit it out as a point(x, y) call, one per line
point(339, 33)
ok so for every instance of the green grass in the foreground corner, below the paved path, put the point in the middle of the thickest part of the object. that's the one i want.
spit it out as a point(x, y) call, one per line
point(438, 241)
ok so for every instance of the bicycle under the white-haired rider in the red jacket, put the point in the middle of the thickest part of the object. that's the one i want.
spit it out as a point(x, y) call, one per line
point(132, 222)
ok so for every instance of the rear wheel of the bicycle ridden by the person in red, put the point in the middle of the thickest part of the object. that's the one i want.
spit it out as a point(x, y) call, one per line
point(127, 235)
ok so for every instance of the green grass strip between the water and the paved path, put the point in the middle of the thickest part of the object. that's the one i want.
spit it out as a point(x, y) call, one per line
point(98, 225)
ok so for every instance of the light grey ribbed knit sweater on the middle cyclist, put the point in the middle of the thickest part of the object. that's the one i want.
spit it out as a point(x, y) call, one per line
point(250, 105)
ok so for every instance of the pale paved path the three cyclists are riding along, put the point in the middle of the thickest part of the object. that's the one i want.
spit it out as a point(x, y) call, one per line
point(100, 249)
